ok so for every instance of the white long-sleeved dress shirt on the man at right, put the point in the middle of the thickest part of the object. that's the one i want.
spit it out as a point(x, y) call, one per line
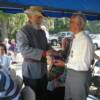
point(82, 53)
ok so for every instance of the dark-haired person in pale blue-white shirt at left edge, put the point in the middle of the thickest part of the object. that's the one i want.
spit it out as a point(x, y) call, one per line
point(5, 60)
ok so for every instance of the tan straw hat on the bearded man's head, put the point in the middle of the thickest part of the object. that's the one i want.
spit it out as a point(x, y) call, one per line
point(34, 10)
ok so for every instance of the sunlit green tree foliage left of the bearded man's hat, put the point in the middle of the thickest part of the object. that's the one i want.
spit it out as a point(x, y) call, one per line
point(11, 23)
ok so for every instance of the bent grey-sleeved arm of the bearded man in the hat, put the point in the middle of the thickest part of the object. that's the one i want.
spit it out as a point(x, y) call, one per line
point(25, 49)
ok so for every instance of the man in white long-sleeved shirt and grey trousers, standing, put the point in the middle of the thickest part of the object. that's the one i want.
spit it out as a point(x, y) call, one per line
point(79, 61)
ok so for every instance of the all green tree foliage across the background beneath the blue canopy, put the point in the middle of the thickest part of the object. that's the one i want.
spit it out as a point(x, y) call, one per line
point(11, 23)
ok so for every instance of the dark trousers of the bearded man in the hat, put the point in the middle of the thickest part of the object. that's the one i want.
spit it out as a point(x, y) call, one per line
point(38, 85)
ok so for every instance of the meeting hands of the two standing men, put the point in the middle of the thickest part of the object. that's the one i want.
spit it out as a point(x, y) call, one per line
point(54, 58)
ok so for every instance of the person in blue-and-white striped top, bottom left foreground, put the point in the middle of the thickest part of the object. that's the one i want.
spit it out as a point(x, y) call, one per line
point(8, 88)
